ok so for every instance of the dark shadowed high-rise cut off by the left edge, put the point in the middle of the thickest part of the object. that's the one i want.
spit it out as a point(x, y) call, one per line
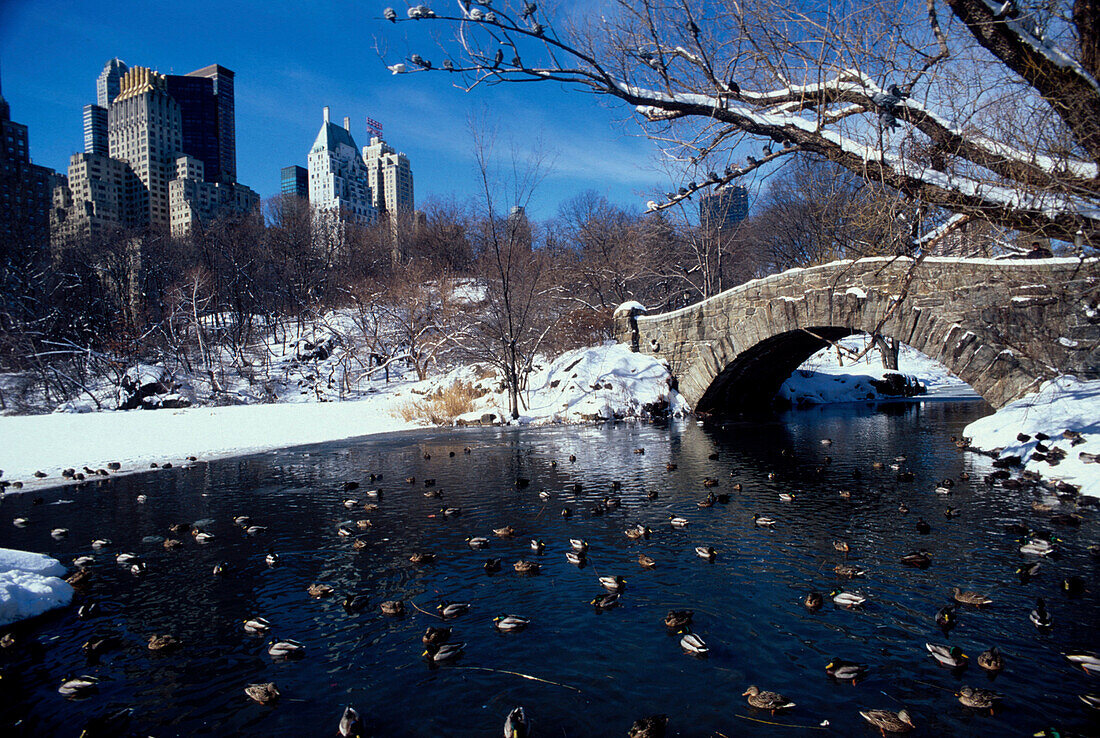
point(25, 188)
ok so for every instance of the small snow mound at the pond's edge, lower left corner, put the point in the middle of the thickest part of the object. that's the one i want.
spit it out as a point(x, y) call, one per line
point(30, 586)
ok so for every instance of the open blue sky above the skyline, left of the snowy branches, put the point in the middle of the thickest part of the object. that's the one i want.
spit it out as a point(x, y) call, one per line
point(291, 60)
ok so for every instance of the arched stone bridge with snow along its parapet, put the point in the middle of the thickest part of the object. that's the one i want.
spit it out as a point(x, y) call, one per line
point(1002, 326)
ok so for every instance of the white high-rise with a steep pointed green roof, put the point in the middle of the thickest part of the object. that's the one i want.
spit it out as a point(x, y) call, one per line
point(339, 181)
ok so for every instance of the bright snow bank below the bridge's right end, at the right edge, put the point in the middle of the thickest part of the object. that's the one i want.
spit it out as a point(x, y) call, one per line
point(1060, 405)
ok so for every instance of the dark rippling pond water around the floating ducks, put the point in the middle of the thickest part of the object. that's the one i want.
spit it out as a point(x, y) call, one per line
point(623, 664)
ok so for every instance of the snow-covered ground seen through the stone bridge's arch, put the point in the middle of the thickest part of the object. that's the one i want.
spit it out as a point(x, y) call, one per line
point(826, 379)
